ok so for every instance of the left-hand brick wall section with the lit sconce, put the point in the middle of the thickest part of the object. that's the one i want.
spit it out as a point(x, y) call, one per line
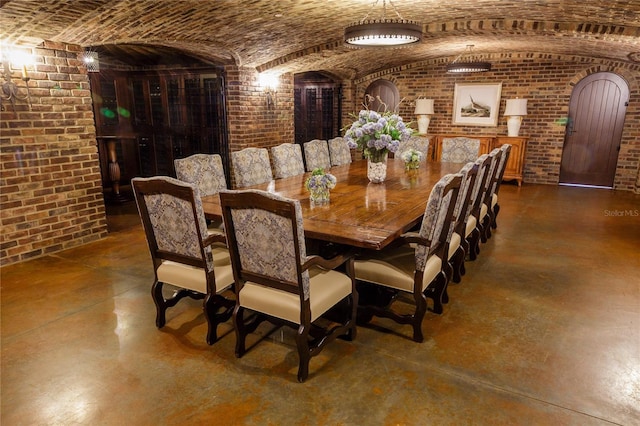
point(50, 188)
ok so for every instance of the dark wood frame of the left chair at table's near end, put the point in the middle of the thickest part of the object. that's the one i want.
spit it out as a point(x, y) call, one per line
point(217, 308)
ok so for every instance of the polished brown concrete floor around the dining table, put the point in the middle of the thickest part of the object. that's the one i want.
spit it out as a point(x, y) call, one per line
point(544, 329)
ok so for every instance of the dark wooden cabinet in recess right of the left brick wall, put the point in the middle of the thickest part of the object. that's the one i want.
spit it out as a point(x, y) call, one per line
point(150, 119)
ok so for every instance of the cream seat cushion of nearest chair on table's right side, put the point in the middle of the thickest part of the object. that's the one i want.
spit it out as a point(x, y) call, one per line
point(395, 268)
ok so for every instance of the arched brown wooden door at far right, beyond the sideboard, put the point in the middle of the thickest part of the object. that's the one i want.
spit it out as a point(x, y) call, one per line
point(592, 140)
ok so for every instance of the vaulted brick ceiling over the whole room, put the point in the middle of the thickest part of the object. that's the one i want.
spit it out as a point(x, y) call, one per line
point(306, 35)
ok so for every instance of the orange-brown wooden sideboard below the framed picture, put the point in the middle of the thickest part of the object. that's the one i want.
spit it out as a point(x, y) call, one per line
point(515, 165)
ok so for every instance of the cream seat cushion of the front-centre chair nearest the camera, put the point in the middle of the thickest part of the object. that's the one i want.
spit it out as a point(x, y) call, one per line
point(327, 287)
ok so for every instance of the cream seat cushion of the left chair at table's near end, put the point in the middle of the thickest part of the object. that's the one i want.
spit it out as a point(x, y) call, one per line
point(193, 278)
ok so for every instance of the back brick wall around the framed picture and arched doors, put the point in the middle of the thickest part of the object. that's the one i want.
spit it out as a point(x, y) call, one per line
point(545, 81)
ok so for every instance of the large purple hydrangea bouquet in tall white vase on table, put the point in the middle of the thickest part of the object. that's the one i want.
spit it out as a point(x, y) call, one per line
point(377, 134)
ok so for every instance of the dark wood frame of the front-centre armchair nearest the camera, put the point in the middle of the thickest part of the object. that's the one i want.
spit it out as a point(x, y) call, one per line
point(310, 339)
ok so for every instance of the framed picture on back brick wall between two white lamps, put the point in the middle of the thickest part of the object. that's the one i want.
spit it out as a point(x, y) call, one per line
point(476, 104)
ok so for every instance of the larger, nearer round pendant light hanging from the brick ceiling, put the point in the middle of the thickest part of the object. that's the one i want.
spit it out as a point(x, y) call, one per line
point(383, 32)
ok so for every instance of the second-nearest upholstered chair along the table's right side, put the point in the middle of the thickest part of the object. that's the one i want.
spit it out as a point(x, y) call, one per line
point(457, 246)
